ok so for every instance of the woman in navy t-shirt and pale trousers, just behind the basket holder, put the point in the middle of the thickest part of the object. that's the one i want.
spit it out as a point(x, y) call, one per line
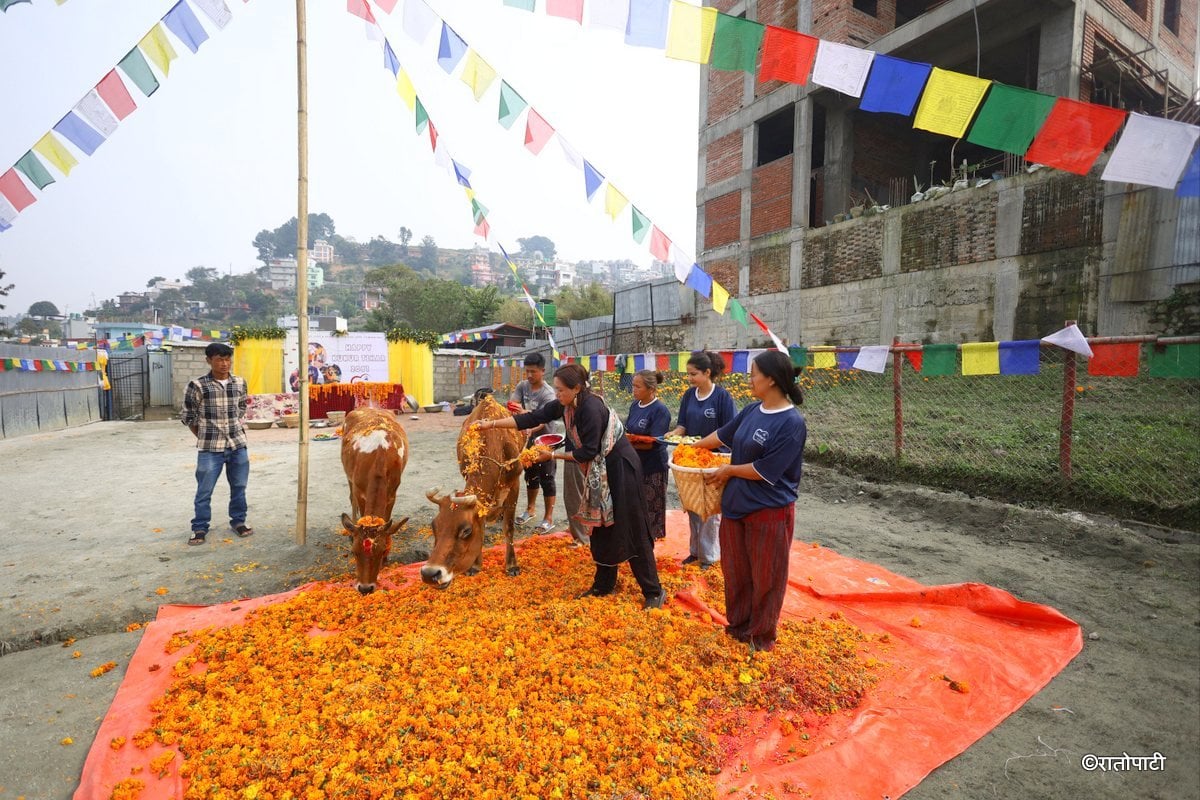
point(704, 410)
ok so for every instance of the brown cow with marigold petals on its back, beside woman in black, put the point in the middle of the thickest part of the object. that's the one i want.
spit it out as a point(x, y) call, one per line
point(489, 462)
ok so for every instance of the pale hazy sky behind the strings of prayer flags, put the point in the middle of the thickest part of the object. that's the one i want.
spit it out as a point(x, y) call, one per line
point(211, 159)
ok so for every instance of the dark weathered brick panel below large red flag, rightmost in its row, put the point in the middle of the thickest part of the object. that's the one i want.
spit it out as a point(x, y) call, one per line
point(1060, 213)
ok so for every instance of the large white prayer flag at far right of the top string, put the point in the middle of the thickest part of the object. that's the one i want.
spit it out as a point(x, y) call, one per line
point(1153, 152)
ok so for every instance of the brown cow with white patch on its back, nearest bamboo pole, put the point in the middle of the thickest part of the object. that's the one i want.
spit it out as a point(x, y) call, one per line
point(375, 450)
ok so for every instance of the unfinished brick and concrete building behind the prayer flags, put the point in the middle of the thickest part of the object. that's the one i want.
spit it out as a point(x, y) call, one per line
point(806, 212)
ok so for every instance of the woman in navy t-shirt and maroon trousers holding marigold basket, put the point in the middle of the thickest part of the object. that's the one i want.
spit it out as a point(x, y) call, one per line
point(759, 502)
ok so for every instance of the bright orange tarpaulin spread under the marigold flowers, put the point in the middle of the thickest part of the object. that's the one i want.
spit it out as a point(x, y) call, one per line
point(911, 723)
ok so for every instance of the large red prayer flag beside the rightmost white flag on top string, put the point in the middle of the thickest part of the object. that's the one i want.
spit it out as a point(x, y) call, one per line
point(1075, 135)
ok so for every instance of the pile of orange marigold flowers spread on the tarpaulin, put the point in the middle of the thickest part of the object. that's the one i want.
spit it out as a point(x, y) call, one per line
point(497, 688)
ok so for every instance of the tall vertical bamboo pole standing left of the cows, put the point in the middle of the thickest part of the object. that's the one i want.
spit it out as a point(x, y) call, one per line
point(303, 267)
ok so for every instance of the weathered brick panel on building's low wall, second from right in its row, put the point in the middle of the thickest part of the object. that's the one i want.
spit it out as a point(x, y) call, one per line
point(947, 233)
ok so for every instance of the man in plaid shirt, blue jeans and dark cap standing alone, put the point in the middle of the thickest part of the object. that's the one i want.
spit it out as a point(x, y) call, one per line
point(213, 410)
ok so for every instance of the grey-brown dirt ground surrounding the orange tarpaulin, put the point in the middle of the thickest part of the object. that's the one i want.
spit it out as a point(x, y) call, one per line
point(95, 520)
